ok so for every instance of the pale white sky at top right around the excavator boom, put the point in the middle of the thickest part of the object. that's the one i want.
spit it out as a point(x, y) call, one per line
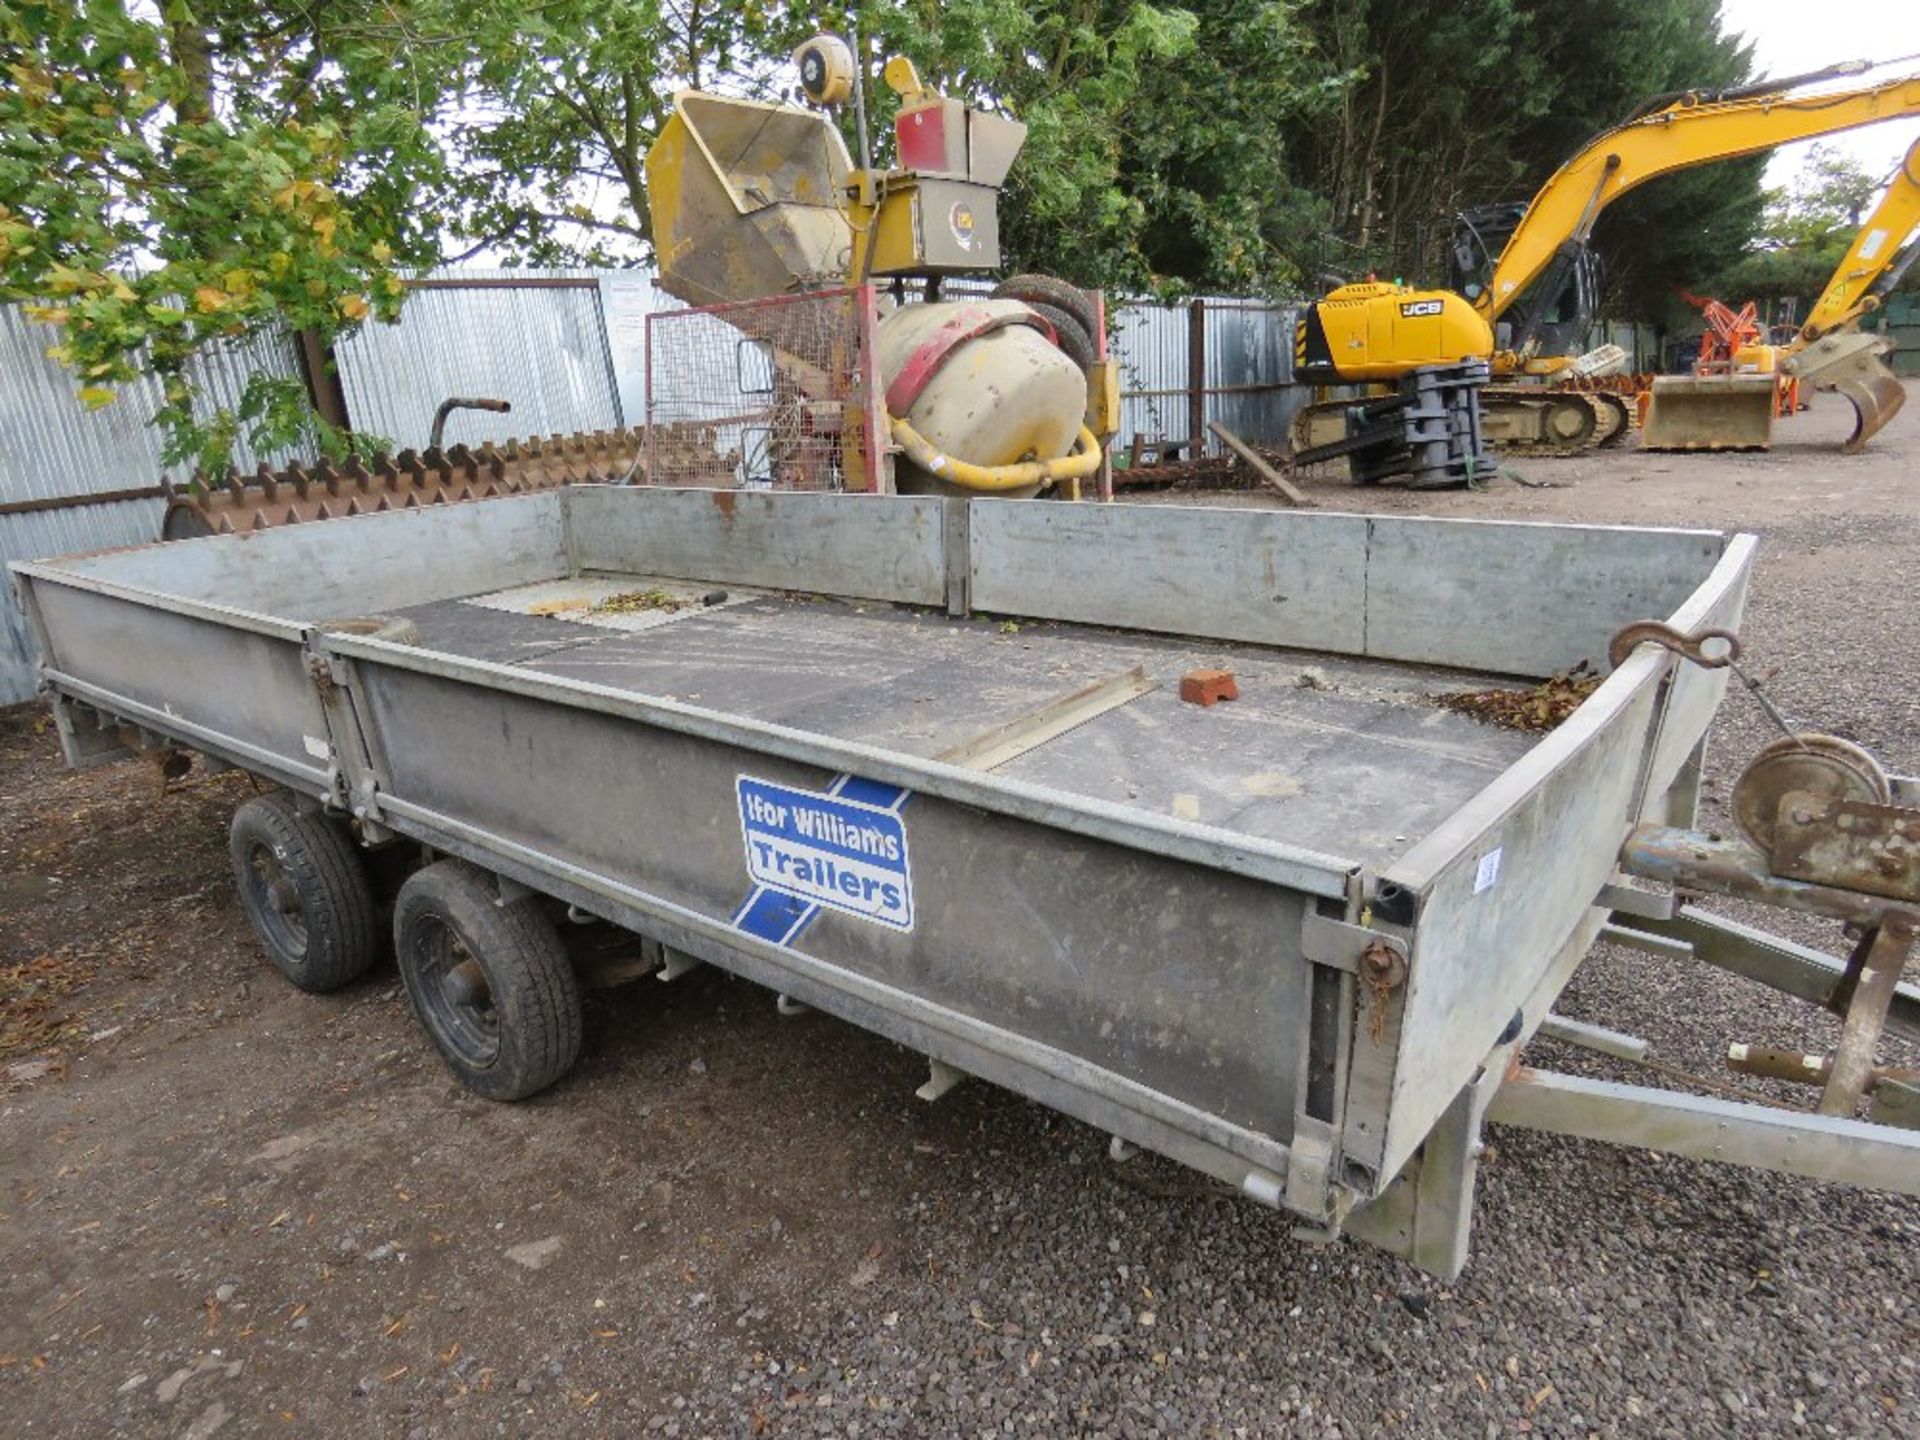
point(1792, 37)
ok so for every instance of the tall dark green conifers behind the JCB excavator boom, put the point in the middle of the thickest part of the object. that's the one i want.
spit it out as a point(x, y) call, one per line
point(1452, 107)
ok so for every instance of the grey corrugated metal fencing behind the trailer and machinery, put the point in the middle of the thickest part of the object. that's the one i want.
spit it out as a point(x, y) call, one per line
point(567, 348)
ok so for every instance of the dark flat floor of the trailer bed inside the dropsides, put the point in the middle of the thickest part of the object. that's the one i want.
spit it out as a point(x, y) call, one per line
point(1332, 754)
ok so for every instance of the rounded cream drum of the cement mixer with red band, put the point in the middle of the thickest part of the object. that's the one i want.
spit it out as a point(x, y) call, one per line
point(982, 385)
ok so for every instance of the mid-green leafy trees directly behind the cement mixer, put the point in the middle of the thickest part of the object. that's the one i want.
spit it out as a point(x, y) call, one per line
point(564, 103)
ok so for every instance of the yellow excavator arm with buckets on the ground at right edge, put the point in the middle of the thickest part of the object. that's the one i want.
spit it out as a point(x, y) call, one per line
point(1737, 410)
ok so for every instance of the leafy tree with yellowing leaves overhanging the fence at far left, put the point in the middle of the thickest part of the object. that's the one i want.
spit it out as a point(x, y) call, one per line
point(181, 178)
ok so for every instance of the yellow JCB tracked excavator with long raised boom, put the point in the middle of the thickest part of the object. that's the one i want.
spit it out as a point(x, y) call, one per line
point(1441, 348)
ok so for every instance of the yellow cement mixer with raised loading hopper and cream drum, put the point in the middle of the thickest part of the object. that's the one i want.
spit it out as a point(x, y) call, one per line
point(1011, 395)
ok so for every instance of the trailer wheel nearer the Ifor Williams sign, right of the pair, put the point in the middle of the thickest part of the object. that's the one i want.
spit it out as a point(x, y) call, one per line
point(489, 980)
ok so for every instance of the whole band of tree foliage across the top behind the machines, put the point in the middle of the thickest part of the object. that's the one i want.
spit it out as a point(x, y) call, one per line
point(183, 174)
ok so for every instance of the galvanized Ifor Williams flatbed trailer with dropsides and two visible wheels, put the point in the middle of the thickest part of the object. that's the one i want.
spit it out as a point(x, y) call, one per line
point(923, 765)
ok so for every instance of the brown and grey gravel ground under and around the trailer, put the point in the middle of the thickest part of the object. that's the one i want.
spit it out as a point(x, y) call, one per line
point(233, 1209)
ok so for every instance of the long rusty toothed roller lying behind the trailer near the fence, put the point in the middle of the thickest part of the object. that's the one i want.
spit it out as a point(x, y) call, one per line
point(408, 481)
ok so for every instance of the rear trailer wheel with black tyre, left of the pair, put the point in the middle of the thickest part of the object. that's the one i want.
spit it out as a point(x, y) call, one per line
point(304, 886)
